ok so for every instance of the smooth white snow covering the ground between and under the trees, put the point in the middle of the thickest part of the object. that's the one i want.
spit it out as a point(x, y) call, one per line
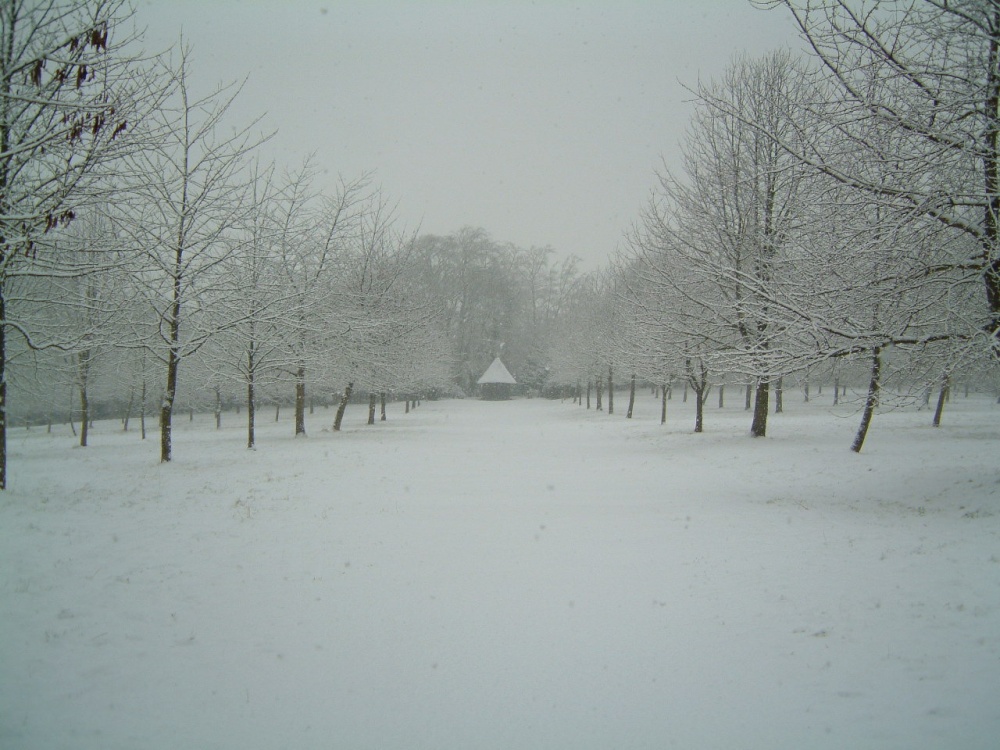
point(521, 575)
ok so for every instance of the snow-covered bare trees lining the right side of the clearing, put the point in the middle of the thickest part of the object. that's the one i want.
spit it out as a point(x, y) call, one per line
point(831, 211)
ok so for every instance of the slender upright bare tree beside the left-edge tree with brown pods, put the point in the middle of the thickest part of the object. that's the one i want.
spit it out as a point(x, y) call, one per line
point(187, 199)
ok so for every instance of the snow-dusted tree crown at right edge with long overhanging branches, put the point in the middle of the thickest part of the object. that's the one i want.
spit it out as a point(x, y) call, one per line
point(928, 71)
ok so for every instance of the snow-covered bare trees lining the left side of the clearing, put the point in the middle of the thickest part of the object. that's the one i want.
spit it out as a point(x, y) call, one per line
point(148, 254)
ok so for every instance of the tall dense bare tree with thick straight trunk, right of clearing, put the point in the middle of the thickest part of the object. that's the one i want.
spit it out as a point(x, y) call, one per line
point(710, 247)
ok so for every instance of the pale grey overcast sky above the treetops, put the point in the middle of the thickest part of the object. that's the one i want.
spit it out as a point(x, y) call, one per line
point(542, 122)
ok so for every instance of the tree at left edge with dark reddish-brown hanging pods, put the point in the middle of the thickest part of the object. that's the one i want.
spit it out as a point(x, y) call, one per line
point(68, 95)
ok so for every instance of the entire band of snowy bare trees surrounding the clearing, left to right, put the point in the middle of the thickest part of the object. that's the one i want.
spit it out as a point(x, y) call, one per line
point(833, 218)
